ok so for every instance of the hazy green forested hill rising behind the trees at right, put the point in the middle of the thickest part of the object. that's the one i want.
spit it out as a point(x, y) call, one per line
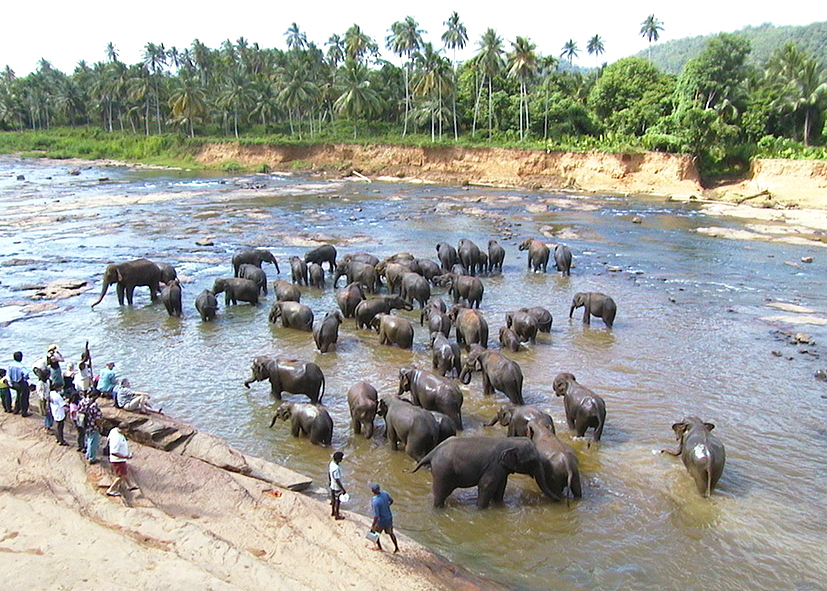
point(671, 56)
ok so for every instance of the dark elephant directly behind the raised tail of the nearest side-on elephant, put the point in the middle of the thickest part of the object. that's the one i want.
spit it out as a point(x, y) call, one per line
point(414, 427)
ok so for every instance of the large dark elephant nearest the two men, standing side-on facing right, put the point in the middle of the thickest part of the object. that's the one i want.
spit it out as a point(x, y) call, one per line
point(484, 462)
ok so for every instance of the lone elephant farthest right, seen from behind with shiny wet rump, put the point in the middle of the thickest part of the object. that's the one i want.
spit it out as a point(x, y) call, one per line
point(702, 453)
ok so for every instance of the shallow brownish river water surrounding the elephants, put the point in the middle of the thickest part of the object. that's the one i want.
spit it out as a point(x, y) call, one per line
point(689, 339)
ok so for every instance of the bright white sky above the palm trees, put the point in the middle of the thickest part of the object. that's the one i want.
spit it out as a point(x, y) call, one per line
point(65, 32)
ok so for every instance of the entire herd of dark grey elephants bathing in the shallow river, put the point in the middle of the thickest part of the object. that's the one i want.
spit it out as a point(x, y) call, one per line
point(426, 423)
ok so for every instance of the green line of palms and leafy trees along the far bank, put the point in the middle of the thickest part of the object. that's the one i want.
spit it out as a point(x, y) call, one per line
point(719, 108)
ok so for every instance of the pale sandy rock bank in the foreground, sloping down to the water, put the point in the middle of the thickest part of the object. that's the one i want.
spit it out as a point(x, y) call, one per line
point(190, 526)
